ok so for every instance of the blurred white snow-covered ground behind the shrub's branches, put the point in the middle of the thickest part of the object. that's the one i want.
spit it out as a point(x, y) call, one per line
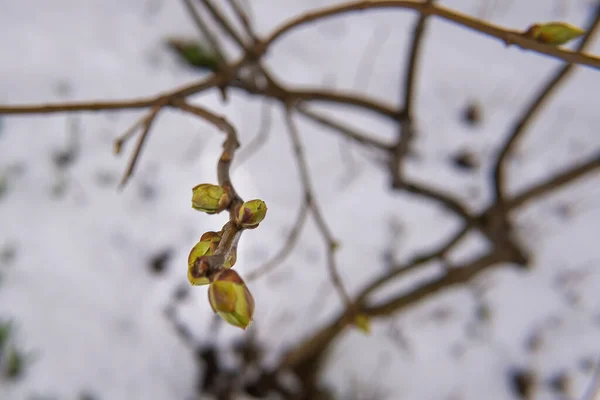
point(79, 288)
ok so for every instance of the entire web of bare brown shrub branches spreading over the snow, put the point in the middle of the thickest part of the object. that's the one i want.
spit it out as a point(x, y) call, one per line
point(494, 223)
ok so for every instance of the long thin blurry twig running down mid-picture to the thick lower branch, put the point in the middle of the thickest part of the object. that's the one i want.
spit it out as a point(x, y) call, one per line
point(332, 244)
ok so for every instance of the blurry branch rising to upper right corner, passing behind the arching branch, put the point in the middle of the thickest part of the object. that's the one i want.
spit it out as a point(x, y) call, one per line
point(533, 109)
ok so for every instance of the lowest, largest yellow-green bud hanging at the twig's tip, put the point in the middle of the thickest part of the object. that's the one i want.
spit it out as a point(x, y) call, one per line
point(230, 298)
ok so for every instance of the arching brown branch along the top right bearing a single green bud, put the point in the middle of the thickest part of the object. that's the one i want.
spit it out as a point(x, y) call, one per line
point(507, 36)
